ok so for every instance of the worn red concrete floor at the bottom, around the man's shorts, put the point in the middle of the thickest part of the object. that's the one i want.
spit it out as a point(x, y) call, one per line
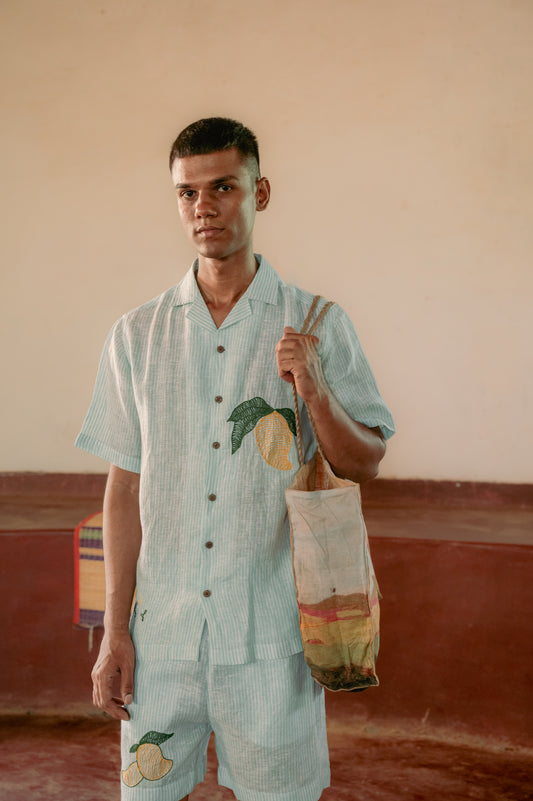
point(65, 759)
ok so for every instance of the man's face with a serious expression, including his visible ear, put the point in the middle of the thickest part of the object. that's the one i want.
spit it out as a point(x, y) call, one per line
point(218, 196)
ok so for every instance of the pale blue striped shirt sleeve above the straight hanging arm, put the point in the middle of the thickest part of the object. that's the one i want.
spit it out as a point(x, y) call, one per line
point(111, 429)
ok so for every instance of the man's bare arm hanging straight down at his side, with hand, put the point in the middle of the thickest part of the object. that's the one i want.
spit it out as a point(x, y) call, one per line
point(113, 672)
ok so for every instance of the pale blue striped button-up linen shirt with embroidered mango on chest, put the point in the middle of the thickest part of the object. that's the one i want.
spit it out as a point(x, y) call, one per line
point(202, 414)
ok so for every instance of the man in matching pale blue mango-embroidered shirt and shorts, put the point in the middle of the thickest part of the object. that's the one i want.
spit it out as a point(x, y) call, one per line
point(190, 408)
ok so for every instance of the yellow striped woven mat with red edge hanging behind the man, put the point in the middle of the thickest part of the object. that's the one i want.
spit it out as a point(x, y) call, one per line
point(89, 579)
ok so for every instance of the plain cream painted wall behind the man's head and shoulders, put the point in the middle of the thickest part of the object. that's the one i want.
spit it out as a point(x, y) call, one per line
point(398, 139)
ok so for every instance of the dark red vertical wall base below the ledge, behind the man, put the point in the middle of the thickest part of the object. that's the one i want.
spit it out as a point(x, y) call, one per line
point(456, 636)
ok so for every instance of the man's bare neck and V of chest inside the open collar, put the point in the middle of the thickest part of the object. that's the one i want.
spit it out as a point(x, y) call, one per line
point(222, 283)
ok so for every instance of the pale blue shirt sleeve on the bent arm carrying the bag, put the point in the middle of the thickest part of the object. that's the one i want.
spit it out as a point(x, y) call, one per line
point(348, 373)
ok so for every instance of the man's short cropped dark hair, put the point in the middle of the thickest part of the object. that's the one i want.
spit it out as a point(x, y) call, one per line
point(213, 134)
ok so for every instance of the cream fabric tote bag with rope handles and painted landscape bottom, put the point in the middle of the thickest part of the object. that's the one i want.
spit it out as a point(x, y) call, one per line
point(336, 588)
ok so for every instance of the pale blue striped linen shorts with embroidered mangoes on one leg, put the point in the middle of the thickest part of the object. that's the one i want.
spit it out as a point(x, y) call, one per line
point(269, 723)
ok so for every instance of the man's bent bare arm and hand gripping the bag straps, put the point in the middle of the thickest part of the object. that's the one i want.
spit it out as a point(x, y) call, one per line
point(353, 450)
